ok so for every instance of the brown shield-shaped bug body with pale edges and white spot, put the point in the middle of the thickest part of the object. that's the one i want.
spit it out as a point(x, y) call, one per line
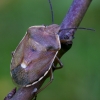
point(35, 54)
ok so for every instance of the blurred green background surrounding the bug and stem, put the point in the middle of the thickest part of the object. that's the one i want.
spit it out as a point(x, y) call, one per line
point(80, 77)
